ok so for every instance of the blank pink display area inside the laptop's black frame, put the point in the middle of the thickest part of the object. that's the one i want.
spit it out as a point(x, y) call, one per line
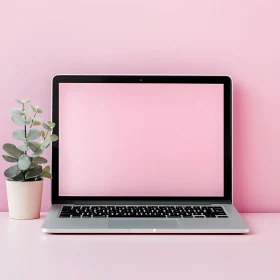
point(140, 139)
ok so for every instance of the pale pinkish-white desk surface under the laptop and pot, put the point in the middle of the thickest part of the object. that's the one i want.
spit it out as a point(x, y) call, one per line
point(27, 253)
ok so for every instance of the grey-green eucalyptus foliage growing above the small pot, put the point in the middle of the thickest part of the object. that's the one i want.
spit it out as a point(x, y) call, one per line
point(26, 157)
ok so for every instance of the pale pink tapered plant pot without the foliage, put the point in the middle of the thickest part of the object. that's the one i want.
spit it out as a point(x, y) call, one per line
point(24, 199)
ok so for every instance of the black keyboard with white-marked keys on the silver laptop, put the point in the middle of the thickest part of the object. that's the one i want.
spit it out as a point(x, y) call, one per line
point(142, 212)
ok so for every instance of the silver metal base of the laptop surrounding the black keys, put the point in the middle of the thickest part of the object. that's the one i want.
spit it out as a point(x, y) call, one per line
point(234, 224)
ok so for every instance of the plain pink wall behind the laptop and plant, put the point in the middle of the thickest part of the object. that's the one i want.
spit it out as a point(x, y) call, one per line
point(239, 38)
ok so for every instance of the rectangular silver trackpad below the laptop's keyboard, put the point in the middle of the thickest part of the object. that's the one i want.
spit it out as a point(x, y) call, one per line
point(142, 223)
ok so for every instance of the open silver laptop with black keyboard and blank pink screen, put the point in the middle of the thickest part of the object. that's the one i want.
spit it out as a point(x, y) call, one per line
point(142, 154)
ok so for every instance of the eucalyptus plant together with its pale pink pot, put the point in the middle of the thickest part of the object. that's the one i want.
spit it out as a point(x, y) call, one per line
point(25, 177)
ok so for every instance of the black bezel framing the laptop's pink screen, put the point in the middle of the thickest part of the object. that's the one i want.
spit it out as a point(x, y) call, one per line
point(225, 80)
